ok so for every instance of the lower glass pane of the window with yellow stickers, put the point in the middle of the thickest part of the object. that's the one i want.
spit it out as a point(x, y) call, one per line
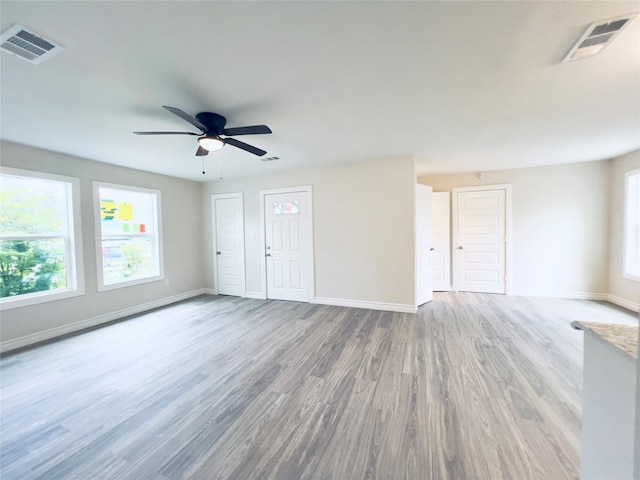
point(127, 258)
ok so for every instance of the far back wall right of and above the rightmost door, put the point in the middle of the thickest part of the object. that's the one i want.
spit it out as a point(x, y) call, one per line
point(560, 226)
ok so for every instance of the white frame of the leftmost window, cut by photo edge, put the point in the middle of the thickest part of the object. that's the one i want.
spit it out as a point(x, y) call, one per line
point(73, 244)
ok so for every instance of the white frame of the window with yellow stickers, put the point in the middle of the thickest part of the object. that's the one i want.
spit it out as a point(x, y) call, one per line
point(98, 229)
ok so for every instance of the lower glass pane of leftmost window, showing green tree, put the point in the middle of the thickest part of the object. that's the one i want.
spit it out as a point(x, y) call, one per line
point(31, 266)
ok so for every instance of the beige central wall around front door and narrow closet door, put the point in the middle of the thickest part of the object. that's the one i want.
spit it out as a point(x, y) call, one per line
point(363, 229)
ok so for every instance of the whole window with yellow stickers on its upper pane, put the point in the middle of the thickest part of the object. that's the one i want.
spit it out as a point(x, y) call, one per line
point(128, 231)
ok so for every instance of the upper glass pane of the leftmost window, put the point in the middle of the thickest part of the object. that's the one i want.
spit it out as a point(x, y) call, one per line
point(32, 206)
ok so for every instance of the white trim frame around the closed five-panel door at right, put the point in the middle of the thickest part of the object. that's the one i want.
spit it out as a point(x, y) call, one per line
point(508, 251)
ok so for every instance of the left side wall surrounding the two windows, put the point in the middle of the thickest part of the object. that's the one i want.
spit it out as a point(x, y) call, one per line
point(183, 244)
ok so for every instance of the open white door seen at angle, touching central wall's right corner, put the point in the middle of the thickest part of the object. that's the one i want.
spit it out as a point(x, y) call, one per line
point(424, 288)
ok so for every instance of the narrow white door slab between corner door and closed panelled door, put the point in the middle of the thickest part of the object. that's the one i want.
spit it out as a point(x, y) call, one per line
point(441, 244)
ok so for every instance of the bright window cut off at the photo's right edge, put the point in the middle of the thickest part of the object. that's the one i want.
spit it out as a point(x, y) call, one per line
point(631, 257)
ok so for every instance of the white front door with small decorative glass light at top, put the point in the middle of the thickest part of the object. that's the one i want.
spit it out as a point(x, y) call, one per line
point(287, 245)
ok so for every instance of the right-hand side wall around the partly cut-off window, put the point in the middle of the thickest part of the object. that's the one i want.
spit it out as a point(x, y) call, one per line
point(620, 287)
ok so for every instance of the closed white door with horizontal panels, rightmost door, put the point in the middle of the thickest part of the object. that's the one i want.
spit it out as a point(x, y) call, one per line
point(479, 257)
